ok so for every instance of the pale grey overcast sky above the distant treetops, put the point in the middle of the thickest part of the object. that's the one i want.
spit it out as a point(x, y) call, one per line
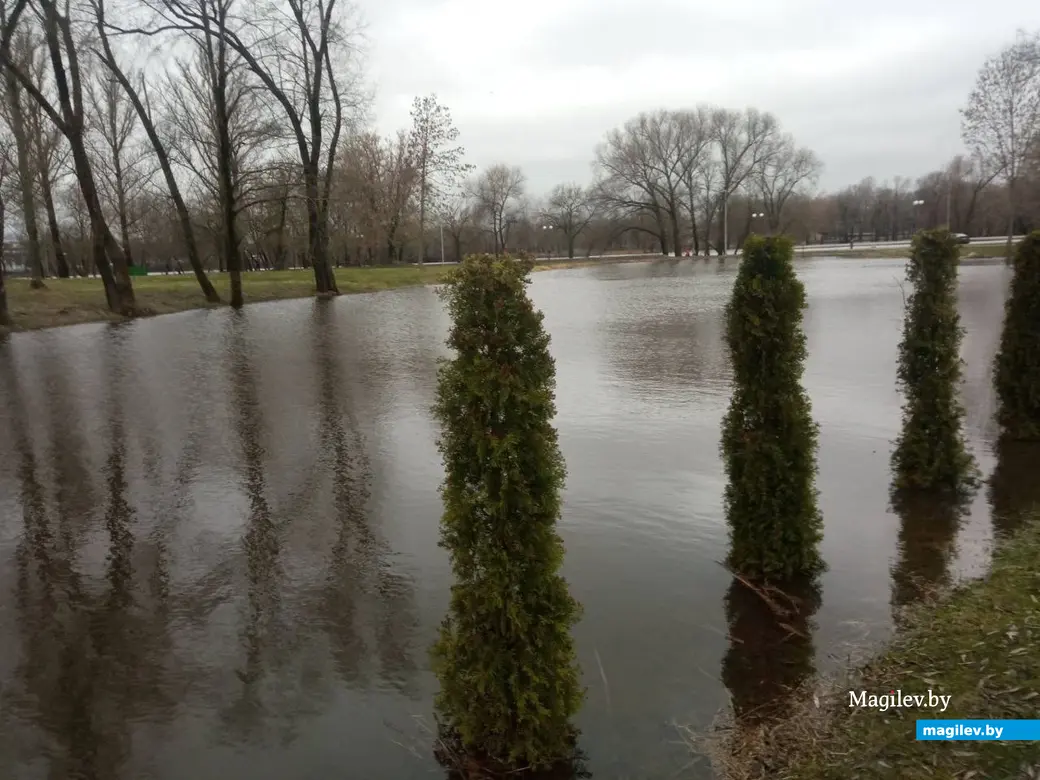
point(873, 88)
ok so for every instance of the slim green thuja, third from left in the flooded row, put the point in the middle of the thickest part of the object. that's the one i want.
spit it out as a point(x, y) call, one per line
point(930, 454)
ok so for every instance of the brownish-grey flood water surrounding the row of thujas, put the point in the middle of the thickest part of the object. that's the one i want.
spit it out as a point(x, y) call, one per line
point(219, 531)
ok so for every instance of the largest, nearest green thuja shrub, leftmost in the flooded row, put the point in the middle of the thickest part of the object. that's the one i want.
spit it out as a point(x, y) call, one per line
point(510, 682)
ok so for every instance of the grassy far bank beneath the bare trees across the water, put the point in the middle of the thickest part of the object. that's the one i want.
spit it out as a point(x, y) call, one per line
point(73, 301)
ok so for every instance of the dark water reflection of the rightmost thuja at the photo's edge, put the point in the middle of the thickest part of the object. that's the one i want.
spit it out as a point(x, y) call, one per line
point(1015, 487)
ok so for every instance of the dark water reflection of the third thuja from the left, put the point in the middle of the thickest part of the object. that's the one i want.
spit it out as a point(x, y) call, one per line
point(928, 529)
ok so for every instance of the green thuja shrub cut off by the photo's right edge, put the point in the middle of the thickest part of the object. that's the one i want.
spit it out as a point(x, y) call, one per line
point(1017, 371)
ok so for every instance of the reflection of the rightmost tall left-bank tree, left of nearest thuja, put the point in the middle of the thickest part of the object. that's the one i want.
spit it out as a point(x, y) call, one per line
point(358, 571)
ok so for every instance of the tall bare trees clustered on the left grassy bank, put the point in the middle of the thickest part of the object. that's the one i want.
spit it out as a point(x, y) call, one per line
point(246, 99)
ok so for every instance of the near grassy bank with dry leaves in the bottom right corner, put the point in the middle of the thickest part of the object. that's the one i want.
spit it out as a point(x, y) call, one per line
point(979, 643)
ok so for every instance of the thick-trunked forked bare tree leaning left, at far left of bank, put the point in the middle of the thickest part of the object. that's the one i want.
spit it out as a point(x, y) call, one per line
point(69, 117)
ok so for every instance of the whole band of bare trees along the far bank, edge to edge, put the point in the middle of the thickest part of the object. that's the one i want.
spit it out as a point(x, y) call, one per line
point(250, 147)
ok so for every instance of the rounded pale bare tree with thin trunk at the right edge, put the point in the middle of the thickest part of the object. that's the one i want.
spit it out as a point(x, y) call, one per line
point(1002, 120)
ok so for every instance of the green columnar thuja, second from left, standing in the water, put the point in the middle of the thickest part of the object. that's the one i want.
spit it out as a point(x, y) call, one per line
point(769, 437)
